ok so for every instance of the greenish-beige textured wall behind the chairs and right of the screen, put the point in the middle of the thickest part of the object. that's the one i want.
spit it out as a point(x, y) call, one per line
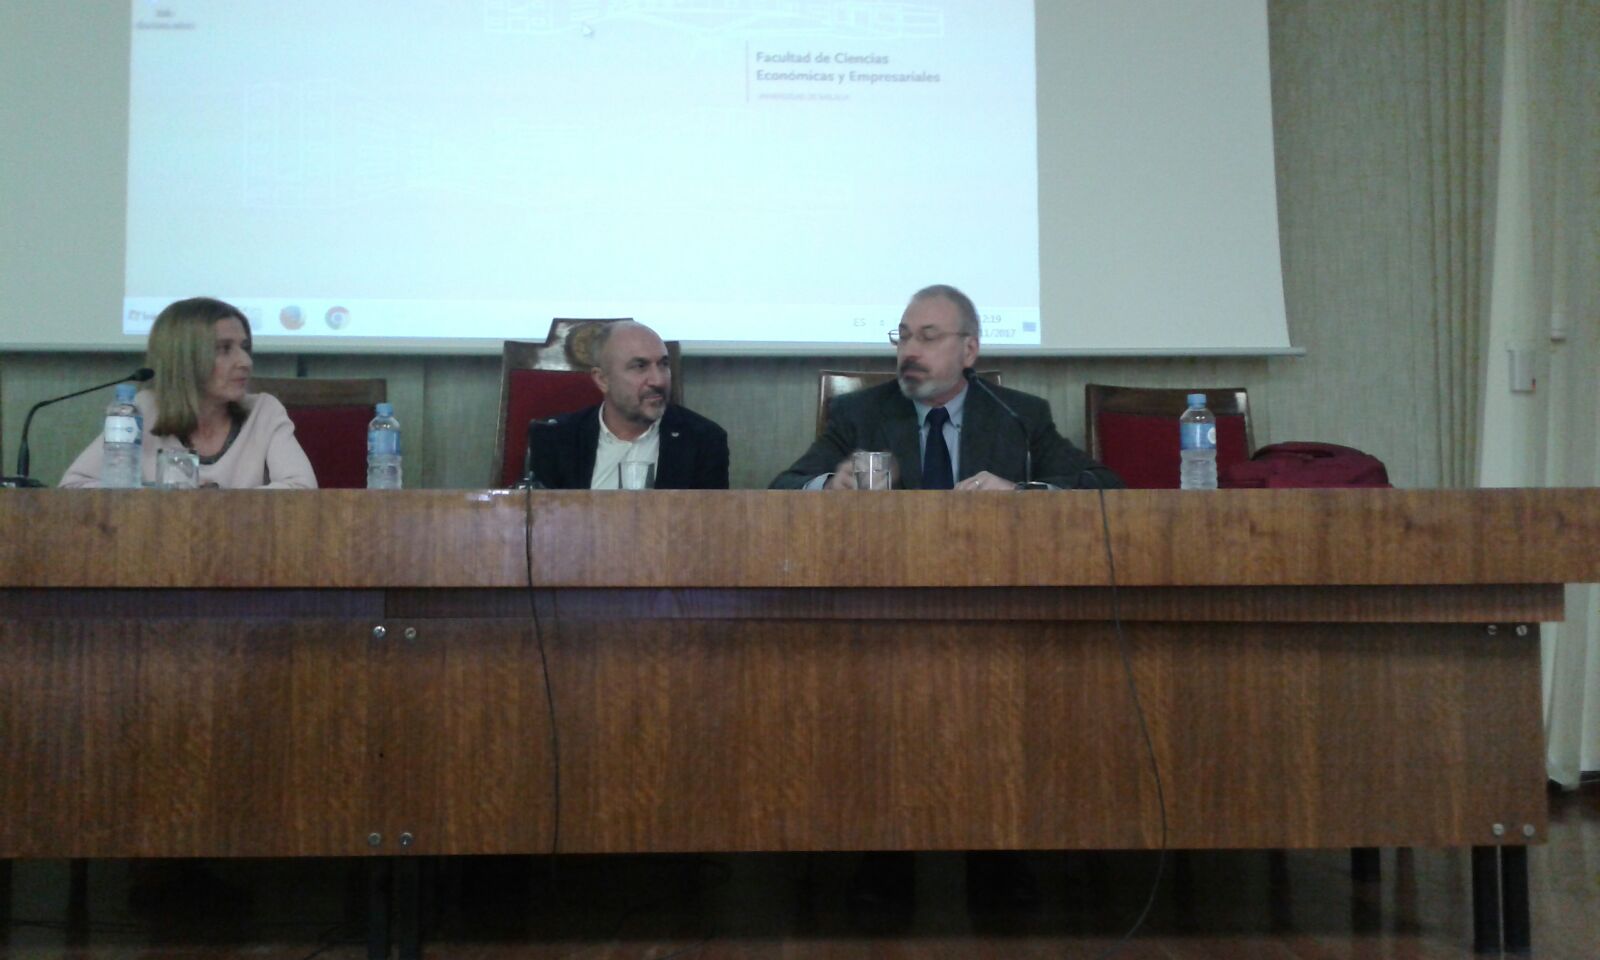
point(1354, 193)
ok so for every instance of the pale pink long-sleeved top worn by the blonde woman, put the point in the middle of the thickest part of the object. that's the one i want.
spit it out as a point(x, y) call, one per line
point(265, 454)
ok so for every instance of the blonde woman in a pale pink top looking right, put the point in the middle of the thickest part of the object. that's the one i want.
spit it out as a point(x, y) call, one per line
point(199, 401)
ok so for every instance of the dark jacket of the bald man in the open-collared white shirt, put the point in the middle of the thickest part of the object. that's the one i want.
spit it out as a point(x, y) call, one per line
point(694, 450)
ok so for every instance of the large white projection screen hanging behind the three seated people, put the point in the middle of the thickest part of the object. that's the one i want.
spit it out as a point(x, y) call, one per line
point(745, 175)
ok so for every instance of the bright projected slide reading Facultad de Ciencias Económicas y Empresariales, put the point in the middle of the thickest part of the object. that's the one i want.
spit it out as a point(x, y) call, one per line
point(726, 170)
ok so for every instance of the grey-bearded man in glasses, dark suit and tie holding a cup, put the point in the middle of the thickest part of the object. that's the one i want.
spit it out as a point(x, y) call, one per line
point(946, 431)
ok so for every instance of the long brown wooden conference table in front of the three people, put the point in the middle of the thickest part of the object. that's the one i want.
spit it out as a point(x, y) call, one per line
point(359, 674)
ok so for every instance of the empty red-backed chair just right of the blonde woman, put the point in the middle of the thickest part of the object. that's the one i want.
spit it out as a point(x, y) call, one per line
point(330, 422)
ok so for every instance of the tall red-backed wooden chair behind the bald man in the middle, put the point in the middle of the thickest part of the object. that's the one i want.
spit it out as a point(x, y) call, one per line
point(548, 380)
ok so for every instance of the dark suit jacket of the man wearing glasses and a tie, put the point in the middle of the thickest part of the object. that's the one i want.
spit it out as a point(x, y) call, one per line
point(882, 418)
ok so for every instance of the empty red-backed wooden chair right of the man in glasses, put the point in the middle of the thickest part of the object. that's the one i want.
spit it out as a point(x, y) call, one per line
point(1135, 430)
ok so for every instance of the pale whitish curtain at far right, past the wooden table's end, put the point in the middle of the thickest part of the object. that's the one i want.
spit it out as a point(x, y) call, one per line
point(1546, 294)
